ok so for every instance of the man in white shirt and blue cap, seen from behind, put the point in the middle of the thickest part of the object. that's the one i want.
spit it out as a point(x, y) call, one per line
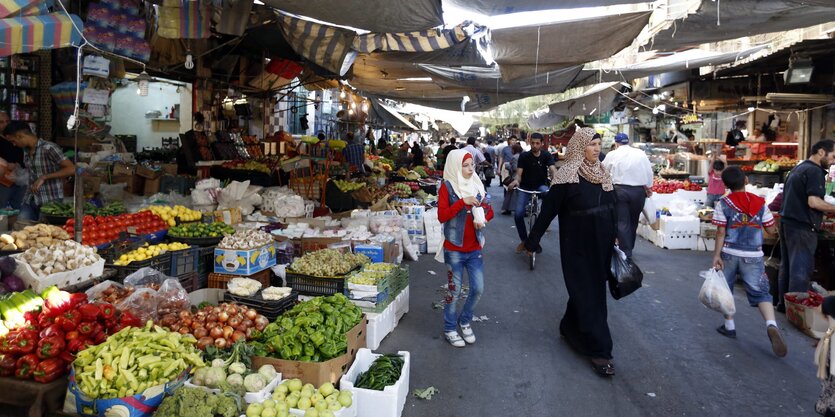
point(632, 177)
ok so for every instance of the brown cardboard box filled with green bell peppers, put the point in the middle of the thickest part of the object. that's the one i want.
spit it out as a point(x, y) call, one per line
point(318, 373)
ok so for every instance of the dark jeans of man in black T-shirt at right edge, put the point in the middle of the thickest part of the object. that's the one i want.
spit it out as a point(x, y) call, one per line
point(797, 259)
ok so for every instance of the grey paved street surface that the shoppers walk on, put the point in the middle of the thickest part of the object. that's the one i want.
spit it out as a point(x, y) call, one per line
point(670, 361)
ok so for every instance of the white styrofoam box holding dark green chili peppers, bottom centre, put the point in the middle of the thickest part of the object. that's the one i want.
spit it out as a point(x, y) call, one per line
point(371, 403)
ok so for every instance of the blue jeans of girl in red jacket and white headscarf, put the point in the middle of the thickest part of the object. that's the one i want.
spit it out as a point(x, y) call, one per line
point(457, 262)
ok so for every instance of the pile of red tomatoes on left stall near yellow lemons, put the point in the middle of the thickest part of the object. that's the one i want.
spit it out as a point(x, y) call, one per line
point(96, 231)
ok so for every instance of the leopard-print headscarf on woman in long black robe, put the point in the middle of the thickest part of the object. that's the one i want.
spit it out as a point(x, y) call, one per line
point(576, 164)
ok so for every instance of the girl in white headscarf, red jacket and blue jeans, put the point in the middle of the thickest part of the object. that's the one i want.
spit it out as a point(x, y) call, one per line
point(462, 192)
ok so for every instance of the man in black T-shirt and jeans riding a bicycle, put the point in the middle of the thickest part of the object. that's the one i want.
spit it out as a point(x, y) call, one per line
point(531, 175)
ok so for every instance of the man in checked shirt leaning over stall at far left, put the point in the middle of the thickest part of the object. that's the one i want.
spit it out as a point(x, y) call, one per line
point(46, 166)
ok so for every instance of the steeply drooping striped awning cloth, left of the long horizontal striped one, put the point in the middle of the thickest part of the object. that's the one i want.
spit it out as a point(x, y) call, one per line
point(326, 46)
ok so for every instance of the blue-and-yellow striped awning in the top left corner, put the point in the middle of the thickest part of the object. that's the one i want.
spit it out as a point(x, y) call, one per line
point(33, 33)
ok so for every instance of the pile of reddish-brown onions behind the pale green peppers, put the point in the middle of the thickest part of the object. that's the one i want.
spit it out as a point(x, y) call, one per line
point(220, 326)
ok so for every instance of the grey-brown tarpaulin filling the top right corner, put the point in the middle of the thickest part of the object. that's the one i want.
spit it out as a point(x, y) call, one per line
point(717, 21)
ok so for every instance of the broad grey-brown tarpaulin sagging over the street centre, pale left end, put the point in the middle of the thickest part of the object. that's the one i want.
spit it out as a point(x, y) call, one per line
point(527, 50)
